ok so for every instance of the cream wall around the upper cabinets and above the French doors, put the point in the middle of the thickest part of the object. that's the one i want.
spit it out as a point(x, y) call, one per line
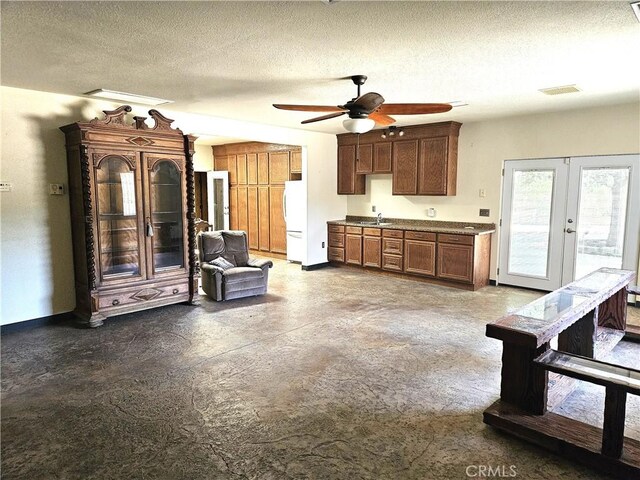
point(484, 146)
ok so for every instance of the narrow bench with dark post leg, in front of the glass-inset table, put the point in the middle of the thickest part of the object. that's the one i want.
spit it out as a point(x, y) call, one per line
point(617, 380)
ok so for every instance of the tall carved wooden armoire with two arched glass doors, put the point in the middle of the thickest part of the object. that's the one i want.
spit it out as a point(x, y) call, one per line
point(131, 192)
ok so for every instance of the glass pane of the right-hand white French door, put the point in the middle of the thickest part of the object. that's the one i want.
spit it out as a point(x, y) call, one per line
point(602, 211)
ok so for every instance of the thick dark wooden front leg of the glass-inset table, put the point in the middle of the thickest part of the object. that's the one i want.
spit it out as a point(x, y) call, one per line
point(523, 383)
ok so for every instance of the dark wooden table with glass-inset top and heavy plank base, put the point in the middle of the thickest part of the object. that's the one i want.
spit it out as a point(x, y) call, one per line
point(588, 318)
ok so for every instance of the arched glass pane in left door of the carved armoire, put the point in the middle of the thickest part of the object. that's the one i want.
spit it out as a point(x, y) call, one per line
point(119, 249)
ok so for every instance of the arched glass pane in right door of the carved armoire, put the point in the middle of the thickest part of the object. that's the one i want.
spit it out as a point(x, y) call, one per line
point(167, 216)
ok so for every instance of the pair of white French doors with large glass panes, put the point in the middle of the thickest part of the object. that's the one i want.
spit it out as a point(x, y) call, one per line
point(562, 218)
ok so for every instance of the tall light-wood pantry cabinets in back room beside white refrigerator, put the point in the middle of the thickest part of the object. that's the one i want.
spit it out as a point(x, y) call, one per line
point(257, 172)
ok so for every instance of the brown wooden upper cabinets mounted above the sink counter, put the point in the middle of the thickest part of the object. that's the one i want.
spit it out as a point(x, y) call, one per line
point(423, 161)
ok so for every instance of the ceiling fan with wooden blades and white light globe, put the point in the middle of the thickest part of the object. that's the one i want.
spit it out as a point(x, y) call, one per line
point(366, 110)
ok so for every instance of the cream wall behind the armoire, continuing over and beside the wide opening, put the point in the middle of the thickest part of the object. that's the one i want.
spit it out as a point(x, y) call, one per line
point(36, 263)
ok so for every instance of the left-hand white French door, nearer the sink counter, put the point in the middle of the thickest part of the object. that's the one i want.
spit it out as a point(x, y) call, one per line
point(533, 218)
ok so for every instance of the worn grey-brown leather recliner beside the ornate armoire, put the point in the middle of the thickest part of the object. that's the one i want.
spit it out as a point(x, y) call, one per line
point(227, 270)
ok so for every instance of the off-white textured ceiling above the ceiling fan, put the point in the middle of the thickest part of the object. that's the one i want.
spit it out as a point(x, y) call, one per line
point(235, 59)
